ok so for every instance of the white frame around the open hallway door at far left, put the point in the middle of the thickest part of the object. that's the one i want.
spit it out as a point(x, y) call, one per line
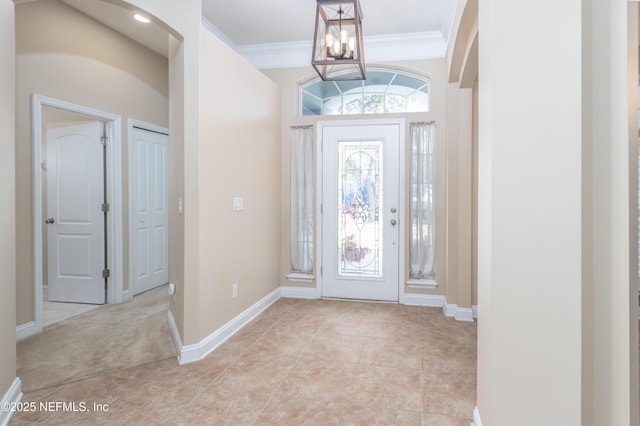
point(114, 195)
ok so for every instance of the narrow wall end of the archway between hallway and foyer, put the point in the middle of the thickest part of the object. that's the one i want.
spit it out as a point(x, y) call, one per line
point(183, 21)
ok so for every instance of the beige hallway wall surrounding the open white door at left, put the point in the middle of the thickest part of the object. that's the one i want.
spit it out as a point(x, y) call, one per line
point(102, 70)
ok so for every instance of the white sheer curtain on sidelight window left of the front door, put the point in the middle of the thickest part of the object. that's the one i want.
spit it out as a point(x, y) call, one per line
point(301, 199)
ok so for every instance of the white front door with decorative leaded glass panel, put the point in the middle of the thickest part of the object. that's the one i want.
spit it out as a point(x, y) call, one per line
point(360, 210)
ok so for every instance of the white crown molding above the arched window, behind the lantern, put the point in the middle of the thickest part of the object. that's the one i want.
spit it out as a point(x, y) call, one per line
point(388, 48)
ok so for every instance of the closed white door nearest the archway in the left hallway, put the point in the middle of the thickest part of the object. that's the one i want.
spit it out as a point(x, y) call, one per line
point(150, 227)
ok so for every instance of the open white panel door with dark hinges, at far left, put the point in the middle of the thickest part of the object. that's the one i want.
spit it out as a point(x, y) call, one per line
point(75, 230)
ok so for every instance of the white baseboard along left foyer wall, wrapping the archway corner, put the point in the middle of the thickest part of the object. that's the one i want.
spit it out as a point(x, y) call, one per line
point(196, 352)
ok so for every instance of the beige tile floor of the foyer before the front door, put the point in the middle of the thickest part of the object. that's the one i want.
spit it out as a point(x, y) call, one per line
point(313, 362)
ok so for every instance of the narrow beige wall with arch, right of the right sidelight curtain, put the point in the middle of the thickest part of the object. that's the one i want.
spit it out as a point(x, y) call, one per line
point(462, 158)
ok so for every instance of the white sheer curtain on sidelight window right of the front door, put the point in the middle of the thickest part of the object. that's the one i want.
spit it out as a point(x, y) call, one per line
point(423, 218)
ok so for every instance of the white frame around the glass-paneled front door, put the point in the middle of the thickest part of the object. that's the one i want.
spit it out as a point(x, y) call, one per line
point(320, 125)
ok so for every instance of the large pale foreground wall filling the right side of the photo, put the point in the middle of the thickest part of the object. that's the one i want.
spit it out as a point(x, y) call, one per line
point(558, 334)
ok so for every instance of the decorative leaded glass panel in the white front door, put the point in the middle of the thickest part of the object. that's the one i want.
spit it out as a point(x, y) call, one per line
point(359, 213)
